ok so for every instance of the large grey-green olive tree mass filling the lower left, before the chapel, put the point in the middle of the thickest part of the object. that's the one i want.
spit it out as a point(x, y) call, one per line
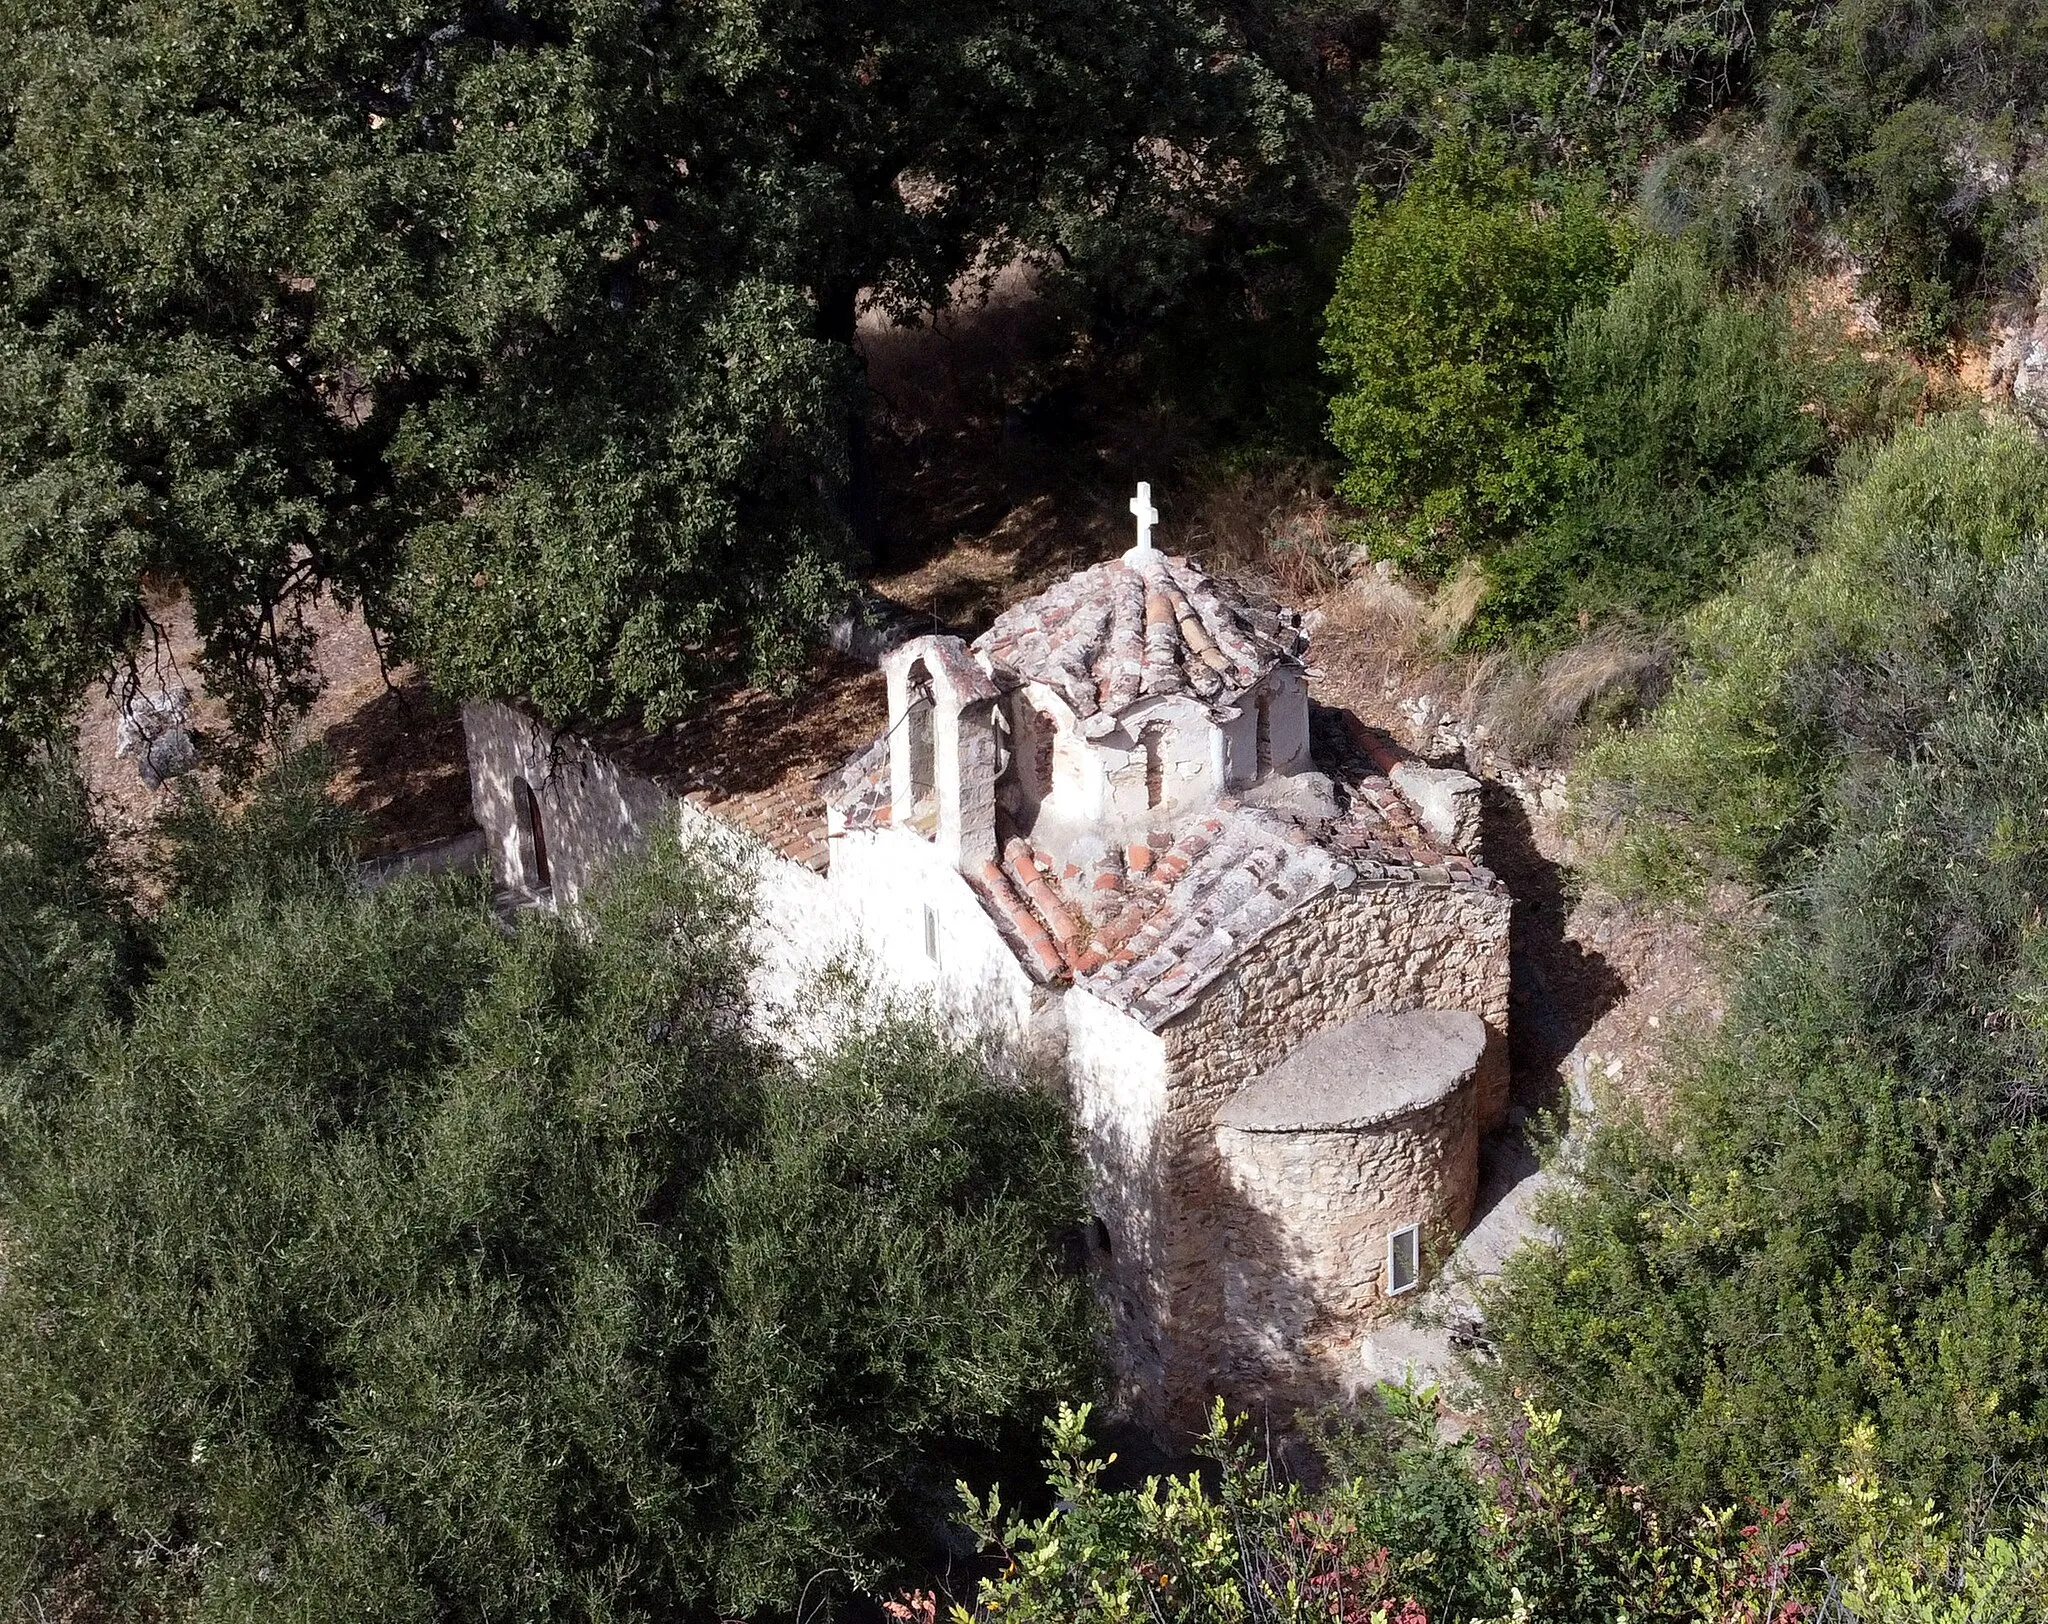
point(384, 1267)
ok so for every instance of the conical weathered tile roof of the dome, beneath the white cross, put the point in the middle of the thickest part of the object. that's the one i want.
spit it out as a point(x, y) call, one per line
point(1125, 632)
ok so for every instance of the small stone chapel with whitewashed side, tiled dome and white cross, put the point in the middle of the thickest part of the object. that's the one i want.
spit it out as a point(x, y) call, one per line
point(1252, 939)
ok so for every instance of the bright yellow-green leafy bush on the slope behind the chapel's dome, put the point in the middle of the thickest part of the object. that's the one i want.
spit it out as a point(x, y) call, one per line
point(1441, 343)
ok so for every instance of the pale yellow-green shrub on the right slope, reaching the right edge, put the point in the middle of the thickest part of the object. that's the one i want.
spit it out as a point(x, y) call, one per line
point(1820, 665)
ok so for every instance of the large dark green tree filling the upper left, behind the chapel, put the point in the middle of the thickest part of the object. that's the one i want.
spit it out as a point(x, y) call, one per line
point(525, 327)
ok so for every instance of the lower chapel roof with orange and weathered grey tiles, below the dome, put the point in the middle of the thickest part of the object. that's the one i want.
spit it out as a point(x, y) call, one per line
point(1150, 927)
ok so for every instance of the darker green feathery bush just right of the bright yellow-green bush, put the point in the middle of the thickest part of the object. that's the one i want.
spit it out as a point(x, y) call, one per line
point(1691, 417)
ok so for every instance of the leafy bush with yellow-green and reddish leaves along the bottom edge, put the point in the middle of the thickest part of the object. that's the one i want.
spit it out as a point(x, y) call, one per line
point(1404, 1529)
